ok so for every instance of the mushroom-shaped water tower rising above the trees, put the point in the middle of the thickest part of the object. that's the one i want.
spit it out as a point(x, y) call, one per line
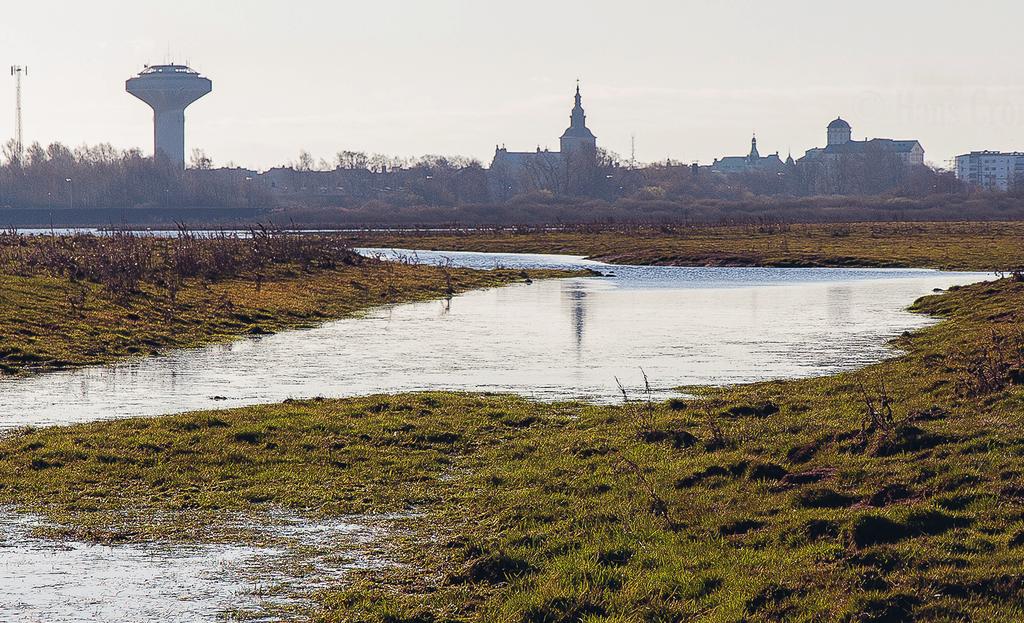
point(169, 90)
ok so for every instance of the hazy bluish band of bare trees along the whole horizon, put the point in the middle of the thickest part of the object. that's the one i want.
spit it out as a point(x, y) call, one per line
point(92, 177)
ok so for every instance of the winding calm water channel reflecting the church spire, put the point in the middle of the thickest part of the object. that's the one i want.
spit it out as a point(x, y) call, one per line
point(552, 340)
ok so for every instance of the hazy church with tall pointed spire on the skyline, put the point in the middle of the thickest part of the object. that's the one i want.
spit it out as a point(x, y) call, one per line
point(515, 173)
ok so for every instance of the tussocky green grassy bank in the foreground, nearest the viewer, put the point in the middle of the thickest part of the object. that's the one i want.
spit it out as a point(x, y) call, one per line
point(892, 494)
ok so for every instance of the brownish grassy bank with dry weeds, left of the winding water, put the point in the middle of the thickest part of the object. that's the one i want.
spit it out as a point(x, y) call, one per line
point(80, 301)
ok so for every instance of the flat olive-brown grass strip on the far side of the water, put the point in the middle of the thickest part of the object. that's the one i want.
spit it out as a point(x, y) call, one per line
point(963, 246)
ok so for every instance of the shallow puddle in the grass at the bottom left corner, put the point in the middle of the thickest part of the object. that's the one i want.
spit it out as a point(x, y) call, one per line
point(58, 582)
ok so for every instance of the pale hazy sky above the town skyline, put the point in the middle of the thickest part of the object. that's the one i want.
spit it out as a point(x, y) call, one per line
point(691, 80)
